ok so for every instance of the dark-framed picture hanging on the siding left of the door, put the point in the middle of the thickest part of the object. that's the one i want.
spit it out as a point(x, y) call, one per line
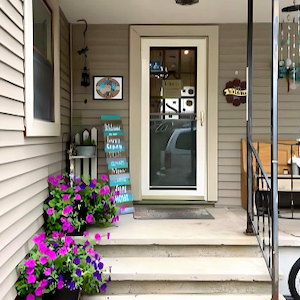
point(108, 88)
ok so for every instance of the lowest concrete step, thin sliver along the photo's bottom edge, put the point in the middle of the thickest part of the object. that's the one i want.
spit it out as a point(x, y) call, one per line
point(182, 297)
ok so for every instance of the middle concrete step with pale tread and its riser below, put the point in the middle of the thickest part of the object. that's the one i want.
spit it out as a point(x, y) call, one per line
point(163, 275)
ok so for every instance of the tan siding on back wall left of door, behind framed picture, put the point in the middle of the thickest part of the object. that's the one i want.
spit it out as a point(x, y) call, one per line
point(108, 56)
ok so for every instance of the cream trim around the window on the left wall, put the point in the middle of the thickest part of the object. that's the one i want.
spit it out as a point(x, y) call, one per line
point(36, 127)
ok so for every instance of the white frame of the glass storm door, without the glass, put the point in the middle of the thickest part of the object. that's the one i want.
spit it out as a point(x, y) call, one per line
point(200, 193)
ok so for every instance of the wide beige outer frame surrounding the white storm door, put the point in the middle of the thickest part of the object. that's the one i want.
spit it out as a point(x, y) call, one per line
point(211, 33)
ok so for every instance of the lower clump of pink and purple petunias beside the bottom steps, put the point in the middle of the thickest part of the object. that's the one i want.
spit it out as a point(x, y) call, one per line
point(59, 262)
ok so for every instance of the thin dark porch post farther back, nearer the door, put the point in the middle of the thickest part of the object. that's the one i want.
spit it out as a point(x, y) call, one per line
point(249, 114)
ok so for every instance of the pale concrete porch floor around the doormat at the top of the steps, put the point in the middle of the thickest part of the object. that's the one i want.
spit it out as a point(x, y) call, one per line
point(226, 229)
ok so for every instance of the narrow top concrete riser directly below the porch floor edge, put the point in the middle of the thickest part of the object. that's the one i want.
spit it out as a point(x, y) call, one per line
point(179, 250)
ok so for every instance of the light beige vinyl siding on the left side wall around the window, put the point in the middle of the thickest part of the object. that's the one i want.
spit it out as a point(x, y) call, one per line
point(25, 163)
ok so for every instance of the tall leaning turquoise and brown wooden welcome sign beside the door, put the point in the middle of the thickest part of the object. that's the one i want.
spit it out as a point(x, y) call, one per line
point(116, 159)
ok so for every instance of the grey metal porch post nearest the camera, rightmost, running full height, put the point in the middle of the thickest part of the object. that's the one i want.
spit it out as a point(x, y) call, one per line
point(274, 148)
